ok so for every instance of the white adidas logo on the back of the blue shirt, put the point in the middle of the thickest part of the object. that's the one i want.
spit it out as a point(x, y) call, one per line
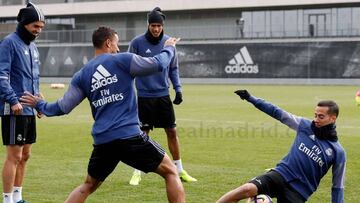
point(102, 78)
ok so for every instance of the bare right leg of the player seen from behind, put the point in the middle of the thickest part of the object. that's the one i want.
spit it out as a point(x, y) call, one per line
point(174, 189)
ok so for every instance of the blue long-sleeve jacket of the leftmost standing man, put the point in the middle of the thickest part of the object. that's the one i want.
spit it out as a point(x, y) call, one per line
point(19, 72)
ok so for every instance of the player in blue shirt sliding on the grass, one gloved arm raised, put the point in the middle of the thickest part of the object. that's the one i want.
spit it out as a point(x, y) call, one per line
point(316, 148)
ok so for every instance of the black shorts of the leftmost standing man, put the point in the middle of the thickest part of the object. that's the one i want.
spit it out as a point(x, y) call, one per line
point(18, 130)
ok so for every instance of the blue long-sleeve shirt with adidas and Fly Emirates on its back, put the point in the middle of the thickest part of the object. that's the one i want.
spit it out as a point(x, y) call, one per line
point(107, 81)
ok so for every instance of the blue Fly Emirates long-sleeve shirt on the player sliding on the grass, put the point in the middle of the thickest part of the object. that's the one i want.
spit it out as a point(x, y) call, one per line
point(309, 158)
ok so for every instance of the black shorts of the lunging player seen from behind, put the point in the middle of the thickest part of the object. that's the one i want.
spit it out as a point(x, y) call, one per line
point(139, 152)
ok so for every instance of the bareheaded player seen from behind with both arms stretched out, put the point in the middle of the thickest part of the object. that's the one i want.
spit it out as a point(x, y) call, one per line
point(107, 82)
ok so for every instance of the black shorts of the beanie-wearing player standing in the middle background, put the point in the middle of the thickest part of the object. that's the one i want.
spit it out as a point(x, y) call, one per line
point(156, 112)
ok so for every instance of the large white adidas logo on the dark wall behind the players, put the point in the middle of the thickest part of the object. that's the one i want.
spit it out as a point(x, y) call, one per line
point(242, 63)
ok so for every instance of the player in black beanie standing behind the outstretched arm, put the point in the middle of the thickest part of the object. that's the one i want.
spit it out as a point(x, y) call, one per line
point(155, 107)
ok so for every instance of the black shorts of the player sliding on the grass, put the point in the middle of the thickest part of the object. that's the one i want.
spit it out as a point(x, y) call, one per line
point(274, 185)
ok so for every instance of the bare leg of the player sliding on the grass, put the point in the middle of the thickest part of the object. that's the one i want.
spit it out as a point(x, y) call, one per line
point(245, 191)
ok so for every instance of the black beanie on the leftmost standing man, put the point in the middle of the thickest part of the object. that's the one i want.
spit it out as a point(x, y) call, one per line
point(30, 14)
